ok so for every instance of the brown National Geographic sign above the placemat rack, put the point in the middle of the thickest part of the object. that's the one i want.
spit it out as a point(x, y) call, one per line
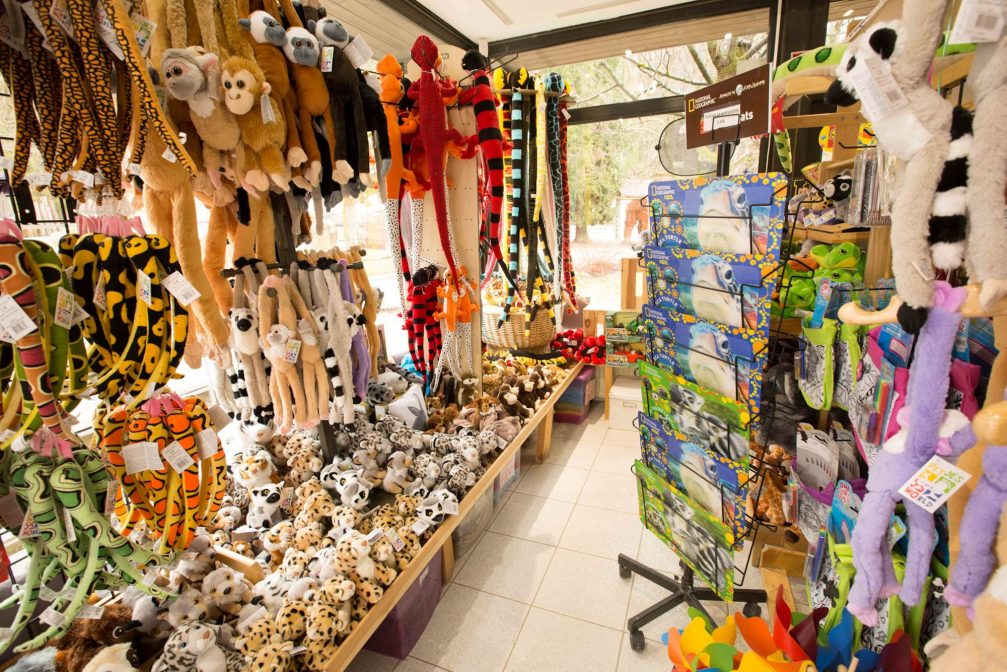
point(730, 110)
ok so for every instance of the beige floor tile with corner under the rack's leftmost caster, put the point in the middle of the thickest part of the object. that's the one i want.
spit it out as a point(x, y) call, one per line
point(565, 589)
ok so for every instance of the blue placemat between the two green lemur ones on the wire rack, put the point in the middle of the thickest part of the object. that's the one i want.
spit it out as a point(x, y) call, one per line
point(720, 486)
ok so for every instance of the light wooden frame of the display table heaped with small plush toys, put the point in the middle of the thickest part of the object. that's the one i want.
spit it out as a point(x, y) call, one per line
point(442, 540)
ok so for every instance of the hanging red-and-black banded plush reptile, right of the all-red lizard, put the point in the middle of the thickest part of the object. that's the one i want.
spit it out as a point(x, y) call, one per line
point(481, 96)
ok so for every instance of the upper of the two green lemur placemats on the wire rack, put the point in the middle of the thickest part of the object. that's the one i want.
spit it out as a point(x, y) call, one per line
point(717, 423)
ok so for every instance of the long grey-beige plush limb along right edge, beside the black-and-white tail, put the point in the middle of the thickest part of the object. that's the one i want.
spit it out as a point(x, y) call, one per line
point(988, 177)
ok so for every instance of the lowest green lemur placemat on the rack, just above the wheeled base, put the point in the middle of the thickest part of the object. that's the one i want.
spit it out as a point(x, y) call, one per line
point(700, 541)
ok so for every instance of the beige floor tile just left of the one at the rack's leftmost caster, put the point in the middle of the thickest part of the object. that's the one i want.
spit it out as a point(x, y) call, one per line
point(506, 567)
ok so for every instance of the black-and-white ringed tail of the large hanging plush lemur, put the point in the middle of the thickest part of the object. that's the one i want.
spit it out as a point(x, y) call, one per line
point(949, 219)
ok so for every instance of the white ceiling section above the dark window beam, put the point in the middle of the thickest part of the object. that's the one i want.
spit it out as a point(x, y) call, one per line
point(501, 20)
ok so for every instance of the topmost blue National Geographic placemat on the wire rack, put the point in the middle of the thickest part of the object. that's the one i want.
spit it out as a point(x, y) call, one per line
point(740, 215)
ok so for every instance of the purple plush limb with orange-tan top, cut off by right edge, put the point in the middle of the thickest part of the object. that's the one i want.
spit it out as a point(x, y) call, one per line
point(978, 530)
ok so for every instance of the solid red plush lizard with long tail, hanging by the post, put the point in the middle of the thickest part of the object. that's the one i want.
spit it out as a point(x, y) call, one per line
point(436, 136)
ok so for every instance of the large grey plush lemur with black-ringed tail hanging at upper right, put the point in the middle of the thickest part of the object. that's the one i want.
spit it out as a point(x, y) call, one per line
point(930, 217)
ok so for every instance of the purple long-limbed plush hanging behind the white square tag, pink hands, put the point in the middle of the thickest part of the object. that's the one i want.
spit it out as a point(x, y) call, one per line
point(928, 430)
